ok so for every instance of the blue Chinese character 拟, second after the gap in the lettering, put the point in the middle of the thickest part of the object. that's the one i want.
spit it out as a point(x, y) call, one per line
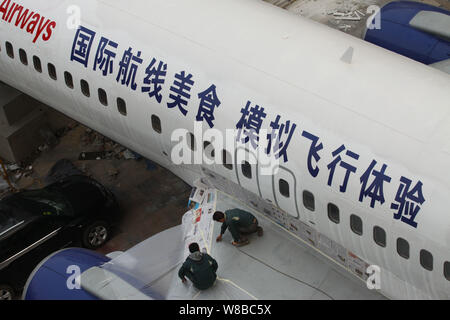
point(280, 147)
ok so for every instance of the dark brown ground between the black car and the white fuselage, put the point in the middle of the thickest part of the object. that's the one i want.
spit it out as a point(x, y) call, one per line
point(151, 200)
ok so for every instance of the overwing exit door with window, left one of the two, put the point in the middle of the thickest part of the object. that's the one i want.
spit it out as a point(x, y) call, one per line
point(247, 170)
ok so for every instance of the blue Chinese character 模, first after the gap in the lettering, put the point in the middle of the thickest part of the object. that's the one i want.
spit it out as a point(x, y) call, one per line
point(250, 124)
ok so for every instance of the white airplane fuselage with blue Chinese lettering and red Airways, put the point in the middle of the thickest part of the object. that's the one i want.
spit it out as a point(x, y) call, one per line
point(381, 106)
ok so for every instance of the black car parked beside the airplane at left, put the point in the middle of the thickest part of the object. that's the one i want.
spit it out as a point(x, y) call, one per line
point(75, 211)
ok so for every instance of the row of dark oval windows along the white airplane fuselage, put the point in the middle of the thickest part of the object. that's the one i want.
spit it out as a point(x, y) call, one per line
point(356, 223)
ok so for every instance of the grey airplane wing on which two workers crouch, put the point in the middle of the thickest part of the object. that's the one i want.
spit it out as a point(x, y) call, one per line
point(275, 266)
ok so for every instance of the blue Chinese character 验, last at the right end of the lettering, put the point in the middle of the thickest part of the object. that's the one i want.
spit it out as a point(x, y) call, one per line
point(408, 210)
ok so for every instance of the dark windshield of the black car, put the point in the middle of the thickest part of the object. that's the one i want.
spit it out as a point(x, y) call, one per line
point(42, 202)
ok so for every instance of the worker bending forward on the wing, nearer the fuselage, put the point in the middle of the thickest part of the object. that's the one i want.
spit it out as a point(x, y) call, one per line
point(240, 223)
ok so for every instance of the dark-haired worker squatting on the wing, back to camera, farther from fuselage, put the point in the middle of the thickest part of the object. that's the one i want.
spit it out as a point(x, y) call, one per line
point(199, 267)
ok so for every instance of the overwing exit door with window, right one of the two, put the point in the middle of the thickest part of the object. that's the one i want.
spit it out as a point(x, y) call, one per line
point(285, 191)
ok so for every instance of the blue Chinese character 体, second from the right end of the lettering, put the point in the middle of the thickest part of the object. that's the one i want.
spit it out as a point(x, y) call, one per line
point(375, 190)
